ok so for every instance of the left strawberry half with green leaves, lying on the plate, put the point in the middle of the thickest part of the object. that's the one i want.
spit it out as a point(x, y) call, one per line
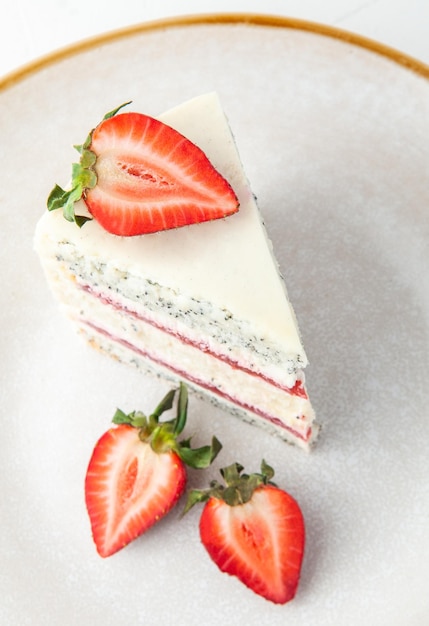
point(137, 473)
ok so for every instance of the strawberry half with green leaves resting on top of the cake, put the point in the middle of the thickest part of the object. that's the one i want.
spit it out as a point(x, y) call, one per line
point(138, 176)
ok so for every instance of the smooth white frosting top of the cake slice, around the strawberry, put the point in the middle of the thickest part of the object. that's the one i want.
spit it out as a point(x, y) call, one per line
point(228, 262)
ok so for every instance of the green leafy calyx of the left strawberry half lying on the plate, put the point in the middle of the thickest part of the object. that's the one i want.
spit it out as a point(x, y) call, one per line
point(163, 436)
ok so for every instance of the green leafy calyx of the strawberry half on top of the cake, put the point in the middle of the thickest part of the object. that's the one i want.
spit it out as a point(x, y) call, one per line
point(83, 178)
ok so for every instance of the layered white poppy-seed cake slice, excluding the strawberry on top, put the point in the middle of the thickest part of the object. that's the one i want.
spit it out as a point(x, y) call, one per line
point(204, 303)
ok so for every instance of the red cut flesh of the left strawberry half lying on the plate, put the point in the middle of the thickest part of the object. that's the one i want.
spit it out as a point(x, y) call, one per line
point(129, 487)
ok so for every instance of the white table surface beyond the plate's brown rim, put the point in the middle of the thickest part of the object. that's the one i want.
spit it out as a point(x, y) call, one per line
point(29, 30)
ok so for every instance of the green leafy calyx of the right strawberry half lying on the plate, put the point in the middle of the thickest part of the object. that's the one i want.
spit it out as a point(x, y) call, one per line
point(237, 489)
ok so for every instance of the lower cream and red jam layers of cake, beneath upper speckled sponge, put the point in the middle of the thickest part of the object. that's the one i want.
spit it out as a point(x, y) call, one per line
point(142, 341)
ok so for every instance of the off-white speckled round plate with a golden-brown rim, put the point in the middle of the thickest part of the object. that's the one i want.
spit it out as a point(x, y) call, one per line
point(332, 130)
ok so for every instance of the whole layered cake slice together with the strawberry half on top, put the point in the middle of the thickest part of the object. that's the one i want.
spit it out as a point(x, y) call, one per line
point(200, 302)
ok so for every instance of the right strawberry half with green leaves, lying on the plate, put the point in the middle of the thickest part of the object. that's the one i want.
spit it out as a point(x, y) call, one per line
point(253, 530)
